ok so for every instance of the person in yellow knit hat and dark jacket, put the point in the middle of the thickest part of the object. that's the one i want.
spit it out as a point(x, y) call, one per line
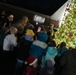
point(23, 51)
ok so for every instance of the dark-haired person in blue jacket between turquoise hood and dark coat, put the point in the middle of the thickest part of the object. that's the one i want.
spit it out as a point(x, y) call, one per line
point(61, 50)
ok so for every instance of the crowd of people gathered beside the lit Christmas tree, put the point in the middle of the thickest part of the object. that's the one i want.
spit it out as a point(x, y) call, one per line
point(25, 50)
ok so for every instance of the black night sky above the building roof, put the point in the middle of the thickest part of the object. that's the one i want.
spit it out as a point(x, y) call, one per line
point(47, 7)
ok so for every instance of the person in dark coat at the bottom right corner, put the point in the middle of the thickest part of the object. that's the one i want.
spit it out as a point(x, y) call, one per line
point(68, 62)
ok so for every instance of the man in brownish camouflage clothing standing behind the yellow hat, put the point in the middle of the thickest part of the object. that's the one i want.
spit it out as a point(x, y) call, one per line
point(21, 26)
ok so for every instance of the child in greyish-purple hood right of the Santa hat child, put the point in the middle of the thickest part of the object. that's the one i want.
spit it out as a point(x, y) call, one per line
point(48, 69)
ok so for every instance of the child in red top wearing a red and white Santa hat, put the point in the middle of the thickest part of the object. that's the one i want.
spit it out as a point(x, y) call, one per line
point(31, 67)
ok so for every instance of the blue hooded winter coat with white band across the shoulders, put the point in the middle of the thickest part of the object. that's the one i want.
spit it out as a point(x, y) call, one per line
point(38, 48)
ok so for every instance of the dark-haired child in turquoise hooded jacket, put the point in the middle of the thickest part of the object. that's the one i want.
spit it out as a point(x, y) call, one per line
point(51, 52)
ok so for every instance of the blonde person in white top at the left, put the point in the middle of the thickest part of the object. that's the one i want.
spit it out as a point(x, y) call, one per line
point(9, 44)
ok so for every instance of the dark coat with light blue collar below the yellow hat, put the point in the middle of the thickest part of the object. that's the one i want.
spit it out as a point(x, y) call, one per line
point(23, 47)
